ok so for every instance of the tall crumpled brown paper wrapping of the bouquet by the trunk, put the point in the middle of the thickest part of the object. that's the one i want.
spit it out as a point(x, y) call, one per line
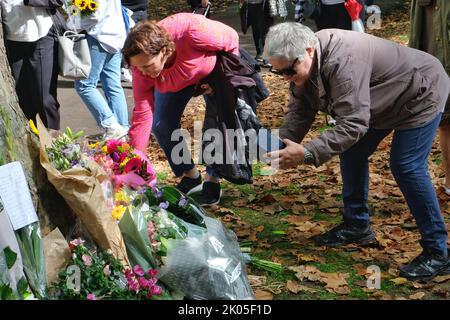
point(82, 190)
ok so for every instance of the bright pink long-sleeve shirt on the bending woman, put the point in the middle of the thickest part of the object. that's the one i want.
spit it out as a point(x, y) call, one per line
point(197, 40)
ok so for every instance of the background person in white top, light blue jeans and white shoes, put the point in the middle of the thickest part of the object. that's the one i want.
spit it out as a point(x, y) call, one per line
point(106, 37)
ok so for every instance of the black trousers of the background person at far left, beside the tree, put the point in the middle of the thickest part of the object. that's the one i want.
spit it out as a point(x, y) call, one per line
point(34, 66)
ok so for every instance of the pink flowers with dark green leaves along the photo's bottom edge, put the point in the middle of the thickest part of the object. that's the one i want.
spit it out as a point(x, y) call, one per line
point(102, 277)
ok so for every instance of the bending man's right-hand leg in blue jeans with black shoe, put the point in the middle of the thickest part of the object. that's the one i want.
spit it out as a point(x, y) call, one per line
point(409, 164)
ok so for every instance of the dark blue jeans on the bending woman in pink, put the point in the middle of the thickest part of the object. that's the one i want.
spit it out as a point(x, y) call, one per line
point(168, 110)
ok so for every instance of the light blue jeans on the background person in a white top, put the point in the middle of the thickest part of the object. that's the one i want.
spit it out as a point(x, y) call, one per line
point(105, 68)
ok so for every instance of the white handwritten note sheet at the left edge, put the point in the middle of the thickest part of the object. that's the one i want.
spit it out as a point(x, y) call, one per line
point(16, 196)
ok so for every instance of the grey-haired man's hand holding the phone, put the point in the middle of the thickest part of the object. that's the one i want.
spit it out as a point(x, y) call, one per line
point(289, 157)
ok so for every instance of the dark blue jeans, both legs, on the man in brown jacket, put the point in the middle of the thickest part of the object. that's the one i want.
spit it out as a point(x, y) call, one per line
point(409, 165)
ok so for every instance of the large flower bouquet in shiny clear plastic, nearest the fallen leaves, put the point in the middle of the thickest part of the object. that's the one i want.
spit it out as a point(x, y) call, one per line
point(193, 253)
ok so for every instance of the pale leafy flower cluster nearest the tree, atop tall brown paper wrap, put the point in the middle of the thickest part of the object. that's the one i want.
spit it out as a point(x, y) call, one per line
point(64, 152)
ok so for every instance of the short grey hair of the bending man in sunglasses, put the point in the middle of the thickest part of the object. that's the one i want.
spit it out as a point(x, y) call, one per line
point(289, 40)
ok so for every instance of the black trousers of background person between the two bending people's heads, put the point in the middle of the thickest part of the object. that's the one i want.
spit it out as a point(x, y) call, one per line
point(260, 20)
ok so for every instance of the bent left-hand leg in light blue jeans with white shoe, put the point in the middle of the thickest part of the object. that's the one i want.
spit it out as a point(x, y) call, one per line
point(91, 96)
